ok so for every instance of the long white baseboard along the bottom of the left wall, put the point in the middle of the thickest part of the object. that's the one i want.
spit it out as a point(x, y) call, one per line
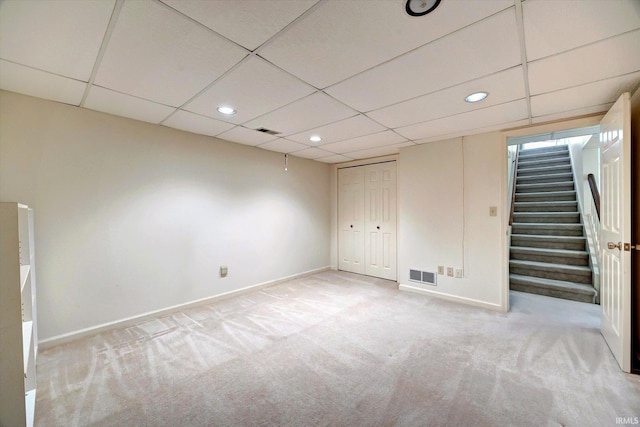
point(72, 336)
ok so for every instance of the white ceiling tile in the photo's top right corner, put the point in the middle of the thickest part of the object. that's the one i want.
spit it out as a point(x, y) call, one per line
point(570, 24)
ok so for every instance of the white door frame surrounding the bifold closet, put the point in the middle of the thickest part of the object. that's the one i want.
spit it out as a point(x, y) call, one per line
point(335, 196)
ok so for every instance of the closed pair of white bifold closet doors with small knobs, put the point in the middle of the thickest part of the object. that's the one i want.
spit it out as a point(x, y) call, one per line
point(367, 220)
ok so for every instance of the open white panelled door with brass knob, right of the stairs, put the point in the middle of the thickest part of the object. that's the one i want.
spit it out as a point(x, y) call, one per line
point(615, 237)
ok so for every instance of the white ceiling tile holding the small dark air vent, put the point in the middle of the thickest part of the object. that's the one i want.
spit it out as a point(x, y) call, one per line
point(310, 112)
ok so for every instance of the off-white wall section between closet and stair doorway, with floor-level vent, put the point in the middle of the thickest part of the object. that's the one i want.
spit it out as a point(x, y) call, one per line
point(445, 190)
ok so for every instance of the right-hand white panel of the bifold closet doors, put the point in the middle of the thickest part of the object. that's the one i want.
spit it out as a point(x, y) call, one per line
point(380, 220)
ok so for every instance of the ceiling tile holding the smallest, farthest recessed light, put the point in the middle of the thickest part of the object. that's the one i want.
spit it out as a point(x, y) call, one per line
point(345, 129)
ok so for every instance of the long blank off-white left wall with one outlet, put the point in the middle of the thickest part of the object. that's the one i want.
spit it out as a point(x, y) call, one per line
point(132, 217)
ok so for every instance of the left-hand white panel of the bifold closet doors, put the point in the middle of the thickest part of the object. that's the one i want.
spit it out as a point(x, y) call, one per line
point(351, 220)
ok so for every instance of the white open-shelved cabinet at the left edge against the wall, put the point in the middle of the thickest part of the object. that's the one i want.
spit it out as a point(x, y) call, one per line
point(18, 331)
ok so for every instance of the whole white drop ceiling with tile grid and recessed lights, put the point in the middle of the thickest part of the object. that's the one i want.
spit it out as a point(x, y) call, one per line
point(361, 74)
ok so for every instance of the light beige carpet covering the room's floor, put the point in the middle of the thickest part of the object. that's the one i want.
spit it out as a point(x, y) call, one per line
point(339, 349)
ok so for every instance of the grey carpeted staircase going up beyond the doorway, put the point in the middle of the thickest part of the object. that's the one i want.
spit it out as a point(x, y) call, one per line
point(548, 245)
